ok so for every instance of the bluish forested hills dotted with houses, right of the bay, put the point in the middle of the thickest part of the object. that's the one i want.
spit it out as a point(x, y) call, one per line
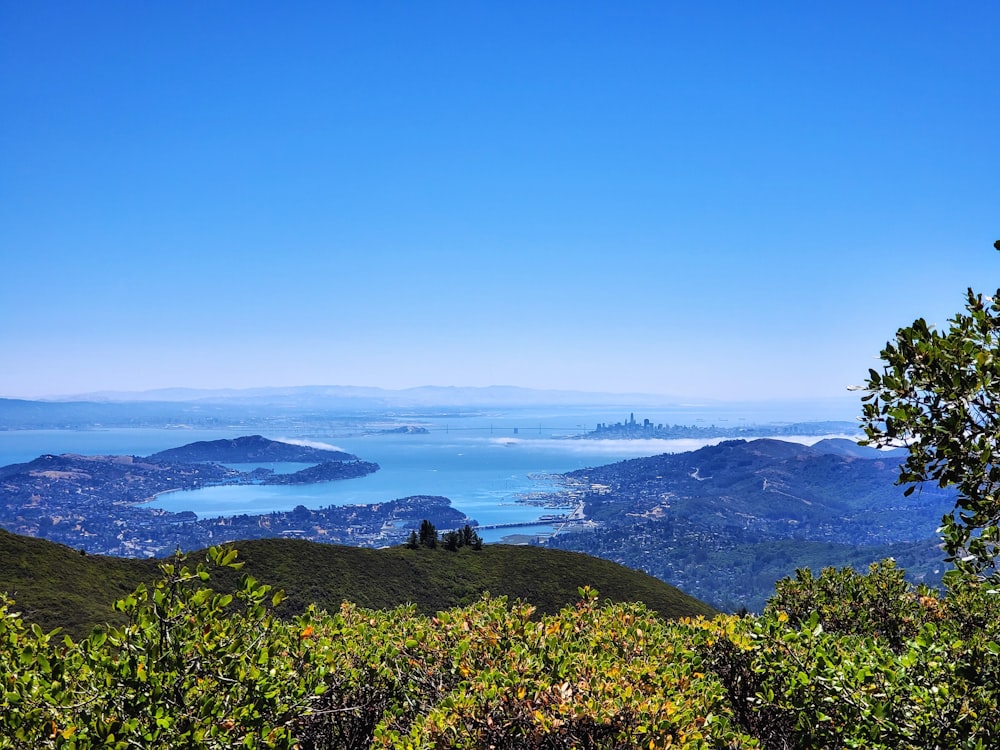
point(726, 521)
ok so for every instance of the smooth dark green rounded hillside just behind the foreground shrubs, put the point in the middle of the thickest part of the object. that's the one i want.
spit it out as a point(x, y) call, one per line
point(56, 586)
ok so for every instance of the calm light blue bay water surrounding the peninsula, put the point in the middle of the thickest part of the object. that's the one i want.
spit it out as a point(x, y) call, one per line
point(484, 464)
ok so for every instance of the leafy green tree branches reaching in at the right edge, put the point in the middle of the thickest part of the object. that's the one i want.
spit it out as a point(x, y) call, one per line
point(939, 394)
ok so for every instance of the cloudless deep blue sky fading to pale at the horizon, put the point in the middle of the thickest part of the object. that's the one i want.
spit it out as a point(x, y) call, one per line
point(719, 199)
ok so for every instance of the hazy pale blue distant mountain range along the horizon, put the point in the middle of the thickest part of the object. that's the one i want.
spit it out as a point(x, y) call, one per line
point(286, 408)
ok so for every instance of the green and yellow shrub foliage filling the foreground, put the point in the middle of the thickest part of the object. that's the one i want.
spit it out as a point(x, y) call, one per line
point(839, 660)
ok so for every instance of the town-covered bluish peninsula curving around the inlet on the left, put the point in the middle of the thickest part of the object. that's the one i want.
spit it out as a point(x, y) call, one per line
point(100, 503)
